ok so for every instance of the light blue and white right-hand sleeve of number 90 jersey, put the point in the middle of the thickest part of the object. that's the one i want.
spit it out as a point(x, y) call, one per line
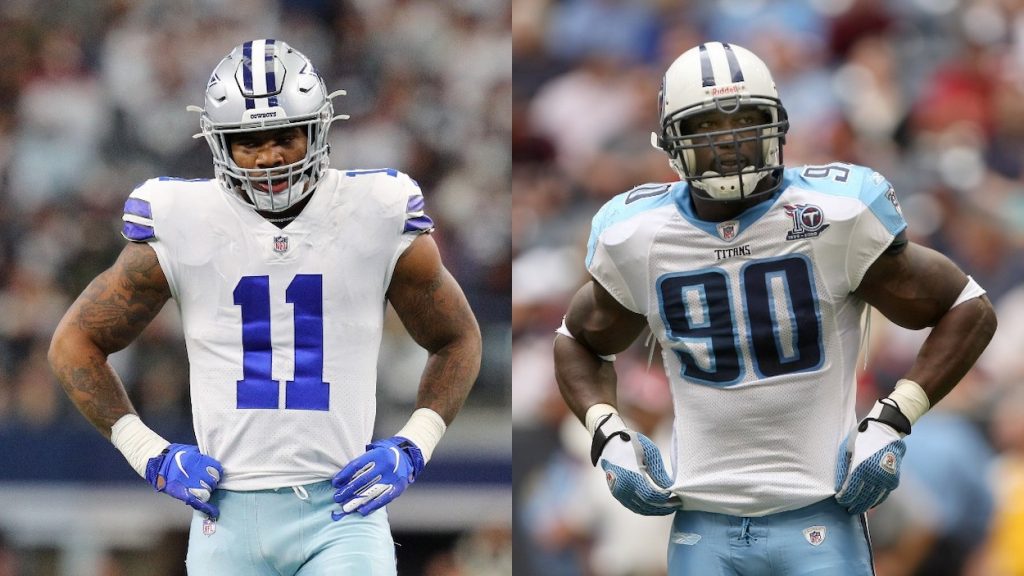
point(876, 228)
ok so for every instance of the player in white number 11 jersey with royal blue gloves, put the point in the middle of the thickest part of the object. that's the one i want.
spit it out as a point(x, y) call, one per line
point(282, 269)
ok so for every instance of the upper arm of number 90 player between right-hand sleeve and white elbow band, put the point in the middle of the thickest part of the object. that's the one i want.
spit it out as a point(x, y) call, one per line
point(913, 289)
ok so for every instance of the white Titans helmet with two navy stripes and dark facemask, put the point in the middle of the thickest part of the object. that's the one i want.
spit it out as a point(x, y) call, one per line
point(727, 78)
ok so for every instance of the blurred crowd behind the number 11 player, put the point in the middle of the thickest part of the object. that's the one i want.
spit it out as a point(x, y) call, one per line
point(95, 98)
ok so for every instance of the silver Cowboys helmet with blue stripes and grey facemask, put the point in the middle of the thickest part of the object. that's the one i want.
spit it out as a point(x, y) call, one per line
point(262, 86)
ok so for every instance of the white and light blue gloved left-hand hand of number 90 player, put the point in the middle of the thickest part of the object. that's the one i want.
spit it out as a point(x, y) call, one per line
point(634, 469)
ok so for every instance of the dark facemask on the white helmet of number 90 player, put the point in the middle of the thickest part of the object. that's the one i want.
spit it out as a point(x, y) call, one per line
point(736, 169)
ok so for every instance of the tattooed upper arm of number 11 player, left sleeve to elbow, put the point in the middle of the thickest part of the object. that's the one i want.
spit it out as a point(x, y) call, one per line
point(120, 303)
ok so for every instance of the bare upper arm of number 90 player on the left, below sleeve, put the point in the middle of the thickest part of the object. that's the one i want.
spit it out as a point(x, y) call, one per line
point(601, 323)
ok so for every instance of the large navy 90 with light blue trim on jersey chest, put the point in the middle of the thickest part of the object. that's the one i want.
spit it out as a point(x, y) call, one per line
point(780, 308)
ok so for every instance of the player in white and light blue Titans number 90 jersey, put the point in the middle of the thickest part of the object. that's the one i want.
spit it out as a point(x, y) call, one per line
point(756, 280)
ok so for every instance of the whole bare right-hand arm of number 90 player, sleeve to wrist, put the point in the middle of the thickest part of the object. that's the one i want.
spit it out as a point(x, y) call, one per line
point(915, 290)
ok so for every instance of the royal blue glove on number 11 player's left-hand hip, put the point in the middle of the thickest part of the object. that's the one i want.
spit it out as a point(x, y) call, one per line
point(185, 473)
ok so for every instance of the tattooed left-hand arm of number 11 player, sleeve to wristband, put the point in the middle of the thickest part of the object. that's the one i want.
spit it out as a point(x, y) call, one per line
point(112, 312)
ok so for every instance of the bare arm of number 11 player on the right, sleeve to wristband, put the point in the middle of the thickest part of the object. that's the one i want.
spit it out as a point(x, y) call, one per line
point(434, 309)
